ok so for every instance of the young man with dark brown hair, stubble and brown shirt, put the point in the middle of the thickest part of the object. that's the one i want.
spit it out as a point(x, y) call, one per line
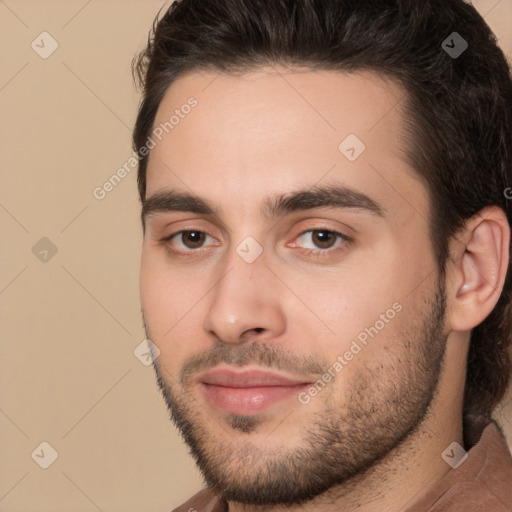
point(325, 273)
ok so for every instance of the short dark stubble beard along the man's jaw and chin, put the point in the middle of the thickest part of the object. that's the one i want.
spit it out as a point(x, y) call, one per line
point(385, 404)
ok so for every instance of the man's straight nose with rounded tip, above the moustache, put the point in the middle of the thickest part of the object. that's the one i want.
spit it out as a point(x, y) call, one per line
point(245, 304)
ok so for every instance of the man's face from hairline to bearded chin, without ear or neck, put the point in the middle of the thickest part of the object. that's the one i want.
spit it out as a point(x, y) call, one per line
point(308, 257)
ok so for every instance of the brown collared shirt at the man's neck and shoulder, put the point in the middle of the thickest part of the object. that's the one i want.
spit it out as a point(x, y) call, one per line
point(482, 483)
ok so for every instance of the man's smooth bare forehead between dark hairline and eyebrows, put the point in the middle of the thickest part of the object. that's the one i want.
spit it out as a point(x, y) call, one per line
point(286, 128)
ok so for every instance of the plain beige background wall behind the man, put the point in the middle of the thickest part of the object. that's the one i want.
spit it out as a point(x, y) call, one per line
point(70, 325)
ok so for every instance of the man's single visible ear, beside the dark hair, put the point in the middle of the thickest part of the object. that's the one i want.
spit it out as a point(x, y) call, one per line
point(477, 267)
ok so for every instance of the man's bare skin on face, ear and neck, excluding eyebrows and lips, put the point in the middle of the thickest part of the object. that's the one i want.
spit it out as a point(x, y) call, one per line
point(372, 438)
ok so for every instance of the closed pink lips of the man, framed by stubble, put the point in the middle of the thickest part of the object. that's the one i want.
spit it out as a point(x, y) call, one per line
point(248, 392)
